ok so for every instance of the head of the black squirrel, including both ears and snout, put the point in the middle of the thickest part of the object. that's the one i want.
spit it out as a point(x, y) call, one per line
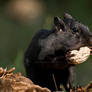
point(71, 33)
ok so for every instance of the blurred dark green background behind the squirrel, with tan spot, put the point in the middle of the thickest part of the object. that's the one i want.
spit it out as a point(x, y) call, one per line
point(20, 19)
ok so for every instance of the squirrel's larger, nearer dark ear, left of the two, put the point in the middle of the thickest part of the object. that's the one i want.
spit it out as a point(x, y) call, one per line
point(59, 24)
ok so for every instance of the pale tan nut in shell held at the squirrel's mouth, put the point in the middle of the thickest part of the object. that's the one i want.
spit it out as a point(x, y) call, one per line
point(78, 56)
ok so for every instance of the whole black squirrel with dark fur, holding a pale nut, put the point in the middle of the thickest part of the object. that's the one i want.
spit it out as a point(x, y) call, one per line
point(46, 55)
